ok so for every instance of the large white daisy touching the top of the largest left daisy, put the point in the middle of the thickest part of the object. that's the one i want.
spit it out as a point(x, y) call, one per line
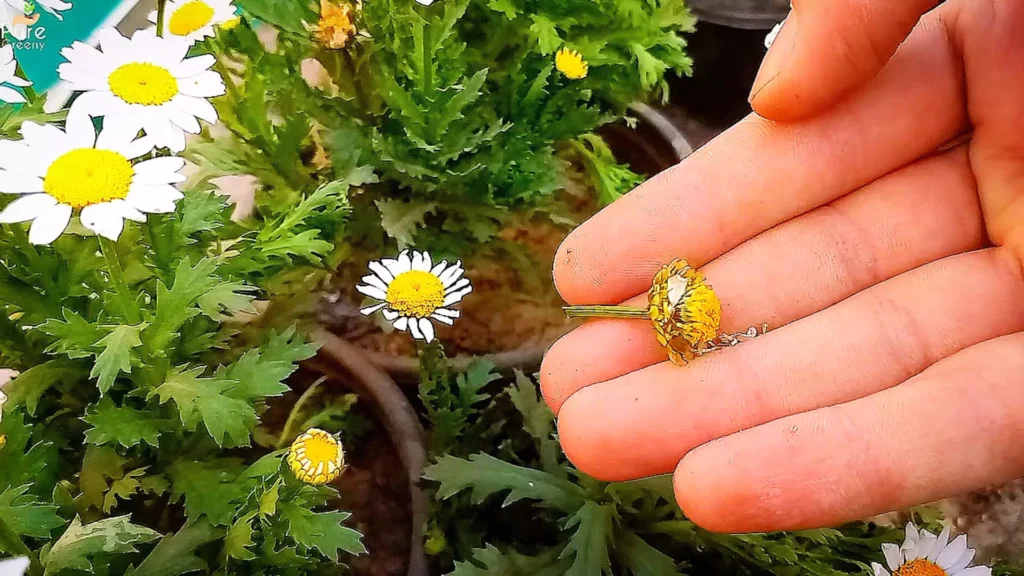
point(147, 81)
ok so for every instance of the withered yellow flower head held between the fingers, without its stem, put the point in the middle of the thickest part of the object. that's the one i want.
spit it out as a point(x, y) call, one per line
point(685, 310)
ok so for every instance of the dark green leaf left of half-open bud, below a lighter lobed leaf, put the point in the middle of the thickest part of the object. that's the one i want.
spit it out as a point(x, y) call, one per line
point(210, 489)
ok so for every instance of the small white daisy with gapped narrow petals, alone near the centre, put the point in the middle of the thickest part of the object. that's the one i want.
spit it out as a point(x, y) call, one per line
point(413, 292)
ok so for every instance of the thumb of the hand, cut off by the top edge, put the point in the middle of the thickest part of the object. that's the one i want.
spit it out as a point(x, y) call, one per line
point(826, 50)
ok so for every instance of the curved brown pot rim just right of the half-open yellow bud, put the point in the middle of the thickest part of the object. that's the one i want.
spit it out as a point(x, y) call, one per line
point(348, 366)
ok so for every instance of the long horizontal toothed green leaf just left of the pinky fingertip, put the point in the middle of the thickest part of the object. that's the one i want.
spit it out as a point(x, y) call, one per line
point(486, 475)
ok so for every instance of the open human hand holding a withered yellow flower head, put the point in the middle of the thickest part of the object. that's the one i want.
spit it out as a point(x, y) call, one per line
point(891, 275)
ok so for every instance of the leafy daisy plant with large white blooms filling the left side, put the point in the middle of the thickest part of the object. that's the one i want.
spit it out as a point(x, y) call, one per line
point(133, 438)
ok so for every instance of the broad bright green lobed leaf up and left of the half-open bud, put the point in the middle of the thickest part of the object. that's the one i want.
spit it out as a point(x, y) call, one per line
point(228, 420)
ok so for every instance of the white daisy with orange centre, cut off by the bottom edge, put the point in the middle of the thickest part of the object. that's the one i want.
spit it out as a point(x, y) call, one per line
point(924, 554)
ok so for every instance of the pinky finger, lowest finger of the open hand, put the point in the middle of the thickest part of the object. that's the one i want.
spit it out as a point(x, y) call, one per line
point(955, 428)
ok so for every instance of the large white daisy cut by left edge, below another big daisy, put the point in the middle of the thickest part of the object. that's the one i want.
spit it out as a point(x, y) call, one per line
point(59, 173)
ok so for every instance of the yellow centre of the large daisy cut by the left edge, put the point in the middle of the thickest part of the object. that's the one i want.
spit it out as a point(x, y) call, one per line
point(86, 177)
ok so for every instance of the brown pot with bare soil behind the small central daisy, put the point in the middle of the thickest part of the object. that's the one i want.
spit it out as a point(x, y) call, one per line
point(655, 145)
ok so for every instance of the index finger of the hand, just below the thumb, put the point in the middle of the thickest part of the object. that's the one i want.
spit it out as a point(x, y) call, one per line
point(759, 175)
